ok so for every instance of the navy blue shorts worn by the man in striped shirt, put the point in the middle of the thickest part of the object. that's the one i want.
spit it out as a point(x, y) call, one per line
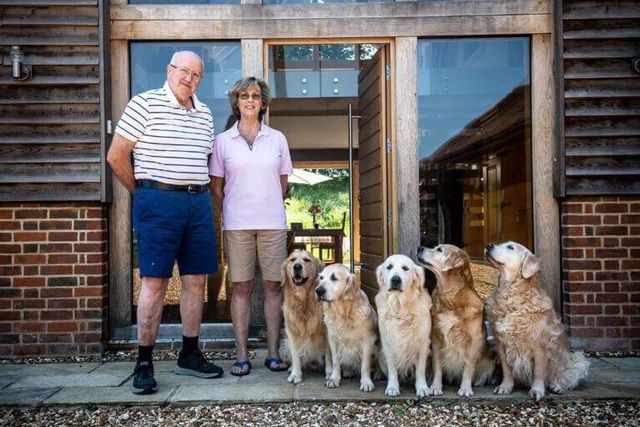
point(174, 225)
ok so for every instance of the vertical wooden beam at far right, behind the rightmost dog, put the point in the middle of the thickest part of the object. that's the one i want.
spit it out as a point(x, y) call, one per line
point(546, 211)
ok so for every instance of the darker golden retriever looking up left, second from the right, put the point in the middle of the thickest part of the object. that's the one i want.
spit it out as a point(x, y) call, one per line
point(458, 334)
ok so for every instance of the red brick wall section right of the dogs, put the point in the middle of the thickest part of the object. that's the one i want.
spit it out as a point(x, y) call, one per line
point(601, 271)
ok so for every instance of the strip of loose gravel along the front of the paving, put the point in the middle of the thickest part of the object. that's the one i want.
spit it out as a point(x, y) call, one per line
point(592, 413)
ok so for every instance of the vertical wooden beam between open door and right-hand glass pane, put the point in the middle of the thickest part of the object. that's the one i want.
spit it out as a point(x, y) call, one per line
point(406, 203)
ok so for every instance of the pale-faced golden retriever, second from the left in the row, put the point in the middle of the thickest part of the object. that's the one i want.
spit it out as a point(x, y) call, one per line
point(351, 324)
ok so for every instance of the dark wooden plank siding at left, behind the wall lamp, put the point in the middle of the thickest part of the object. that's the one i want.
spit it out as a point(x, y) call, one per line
point(50, 125)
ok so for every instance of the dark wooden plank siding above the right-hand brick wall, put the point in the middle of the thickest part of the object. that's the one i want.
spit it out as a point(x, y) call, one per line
point(601, 119)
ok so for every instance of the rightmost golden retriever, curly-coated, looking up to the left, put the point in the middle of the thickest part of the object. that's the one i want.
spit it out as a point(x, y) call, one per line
point(530, 337)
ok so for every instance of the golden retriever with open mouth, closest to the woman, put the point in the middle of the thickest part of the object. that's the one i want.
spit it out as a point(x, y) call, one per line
point(306, 337)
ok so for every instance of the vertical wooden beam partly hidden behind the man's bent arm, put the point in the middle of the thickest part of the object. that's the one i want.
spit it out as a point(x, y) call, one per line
point(120, 268)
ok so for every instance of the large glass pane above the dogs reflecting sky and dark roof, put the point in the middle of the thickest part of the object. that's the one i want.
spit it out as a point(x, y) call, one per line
point(475, 142)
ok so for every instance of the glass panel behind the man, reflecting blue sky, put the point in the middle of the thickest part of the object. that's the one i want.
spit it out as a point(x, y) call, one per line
point(222, 69)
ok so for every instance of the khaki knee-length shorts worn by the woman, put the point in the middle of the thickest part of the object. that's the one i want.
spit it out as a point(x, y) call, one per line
point(241, 246)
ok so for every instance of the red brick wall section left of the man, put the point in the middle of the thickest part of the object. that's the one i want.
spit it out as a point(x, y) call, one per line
point(53, 279)
